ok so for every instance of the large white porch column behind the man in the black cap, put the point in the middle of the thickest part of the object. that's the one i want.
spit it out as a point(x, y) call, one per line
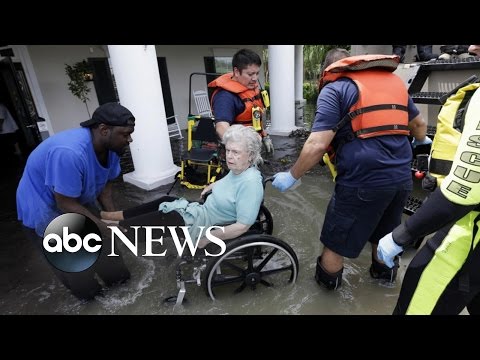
point(138, 84)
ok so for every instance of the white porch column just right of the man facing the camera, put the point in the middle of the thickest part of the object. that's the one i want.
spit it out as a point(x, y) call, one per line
point(281, 59)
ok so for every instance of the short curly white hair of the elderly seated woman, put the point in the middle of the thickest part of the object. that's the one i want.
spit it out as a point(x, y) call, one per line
point(248, 136)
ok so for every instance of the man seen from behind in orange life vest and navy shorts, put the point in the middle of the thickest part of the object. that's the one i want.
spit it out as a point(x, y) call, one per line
point(373, 173)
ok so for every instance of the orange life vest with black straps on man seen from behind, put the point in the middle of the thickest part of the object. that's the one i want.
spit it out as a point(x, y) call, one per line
point(382, 106)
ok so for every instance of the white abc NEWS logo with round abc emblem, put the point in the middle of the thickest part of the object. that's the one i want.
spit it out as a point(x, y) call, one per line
point(73, 243)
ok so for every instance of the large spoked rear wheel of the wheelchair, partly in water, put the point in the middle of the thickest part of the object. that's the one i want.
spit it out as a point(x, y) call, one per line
point(250, 260)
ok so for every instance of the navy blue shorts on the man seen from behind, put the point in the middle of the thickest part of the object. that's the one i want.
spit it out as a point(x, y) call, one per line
point(357, 215)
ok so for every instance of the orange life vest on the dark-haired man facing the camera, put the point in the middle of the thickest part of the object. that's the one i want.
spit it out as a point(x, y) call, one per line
point(249, 97)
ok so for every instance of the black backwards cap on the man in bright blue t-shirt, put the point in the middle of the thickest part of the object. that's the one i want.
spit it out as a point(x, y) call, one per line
point(111, 114)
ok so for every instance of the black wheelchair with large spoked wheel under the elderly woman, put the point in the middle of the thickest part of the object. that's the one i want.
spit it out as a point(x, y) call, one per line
point(253, 259)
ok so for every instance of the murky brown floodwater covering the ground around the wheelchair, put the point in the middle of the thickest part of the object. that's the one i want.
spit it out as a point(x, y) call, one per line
point(31, 288)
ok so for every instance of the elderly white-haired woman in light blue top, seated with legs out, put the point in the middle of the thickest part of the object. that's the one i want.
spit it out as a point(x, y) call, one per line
point(235, 199)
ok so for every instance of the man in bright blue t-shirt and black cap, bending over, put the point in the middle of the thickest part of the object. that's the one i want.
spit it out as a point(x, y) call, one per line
point(69, 173)
